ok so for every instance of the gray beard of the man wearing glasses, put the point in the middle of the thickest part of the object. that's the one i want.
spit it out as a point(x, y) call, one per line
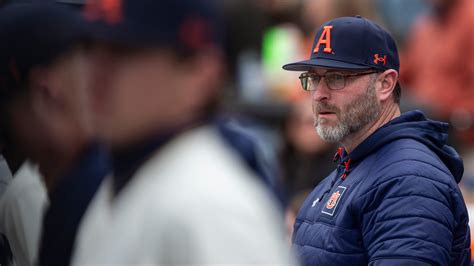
point(360, 112)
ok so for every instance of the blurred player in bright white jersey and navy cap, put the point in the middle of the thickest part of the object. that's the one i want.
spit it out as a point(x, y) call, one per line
point(179, 194)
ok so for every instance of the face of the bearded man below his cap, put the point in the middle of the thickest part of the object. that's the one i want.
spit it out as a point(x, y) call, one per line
point(340, 113)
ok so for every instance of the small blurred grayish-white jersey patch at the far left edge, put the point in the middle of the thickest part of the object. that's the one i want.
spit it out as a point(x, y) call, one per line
point(22, 207)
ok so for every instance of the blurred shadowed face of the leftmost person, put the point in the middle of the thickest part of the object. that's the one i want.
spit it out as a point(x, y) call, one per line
point(54, 112)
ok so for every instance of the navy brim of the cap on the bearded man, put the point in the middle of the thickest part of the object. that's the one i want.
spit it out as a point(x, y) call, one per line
point(306, 65)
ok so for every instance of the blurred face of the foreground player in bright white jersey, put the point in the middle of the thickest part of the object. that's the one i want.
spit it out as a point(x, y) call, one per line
point(139, 93)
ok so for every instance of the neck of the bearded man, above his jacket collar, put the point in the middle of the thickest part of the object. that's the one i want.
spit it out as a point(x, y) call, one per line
point(388, 113)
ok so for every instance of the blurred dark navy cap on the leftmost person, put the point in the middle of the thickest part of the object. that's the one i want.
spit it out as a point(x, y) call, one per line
point(31, 35)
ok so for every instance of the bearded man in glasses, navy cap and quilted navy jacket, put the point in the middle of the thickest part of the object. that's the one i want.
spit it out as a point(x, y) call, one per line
point(393, 198)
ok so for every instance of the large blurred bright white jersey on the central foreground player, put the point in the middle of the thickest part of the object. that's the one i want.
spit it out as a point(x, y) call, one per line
point(193, 203)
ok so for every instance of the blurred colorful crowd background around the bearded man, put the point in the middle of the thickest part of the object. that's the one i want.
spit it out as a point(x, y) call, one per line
point(436, 46)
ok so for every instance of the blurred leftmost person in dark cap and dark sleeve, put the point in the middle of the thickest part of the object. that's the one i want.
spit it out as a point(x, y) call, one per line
point(45, 117)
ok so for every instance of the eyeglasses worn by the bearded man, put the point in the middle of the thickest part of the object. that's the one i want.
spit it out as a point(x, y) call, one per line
point(334, 80)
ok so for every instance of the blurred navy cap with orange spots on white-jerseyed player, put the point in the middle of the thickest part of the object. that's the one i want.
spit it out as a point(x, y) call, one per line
point(183, 24)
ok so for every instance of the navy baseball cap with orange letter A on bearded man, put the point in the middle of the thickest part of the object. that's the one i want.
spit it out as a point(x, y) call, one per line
point(353, 43)
